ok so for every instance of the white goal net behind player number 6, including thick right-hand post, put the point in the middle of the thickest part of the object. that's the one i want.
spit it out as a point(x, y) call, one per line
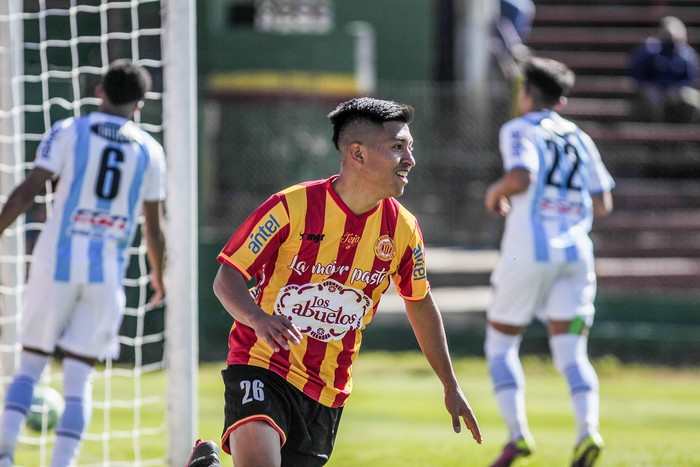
point(52, 54)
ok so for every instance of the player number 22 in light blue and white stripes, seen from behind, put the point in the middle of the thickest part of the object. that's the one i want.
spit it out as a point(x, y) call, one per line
point(554, 184)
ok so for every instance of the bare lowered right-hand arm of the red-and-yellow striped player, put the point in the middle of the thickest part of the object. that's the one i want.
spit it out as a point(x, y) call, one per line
point(429, 330)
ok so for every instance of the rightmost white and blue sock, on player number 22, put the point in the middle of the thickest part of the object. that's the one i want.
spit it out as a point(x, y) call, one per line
point(569, 352)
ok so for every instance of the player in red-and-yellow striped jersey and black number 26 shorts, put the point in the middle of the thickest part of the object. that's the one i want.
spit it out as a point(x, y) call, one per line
point(321, 254)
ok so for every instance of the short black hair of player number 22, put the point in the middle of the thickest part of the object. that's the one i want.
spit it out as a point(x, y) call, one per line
point(548, 80)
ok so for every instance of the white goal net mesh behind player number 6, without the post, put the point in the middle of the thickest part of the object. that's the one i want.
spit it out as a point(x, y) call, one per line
point(53, 53)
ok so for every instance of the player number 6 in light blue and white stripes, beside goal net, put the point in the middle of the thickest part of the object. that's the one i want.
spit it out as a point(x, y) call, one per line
point(109, 171)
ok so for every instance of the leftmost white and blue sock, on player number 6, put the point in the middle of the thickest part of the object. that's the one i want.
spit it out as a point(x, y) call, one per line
point(19, 397)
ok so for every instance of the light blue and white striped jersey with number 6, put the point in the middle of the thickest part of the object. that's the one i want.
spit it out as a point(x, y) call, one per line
point(106, 168)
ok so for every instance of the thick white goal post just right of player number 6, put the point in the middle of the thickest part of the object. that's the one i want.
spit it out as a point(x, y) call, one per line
point(180, 118)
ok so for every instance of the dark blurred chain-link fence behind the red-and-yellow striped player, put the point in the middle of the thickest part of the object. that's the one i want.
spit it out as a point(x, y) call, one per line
point(254, 147)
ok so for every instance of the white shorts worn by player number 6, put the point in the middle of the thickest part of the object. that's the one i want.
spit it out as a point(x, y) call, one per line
point(83, 319)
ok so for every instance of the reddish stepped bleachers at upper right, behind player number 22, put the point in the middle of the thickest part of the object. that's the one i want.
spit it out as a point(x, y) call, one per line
point(655, 227)
